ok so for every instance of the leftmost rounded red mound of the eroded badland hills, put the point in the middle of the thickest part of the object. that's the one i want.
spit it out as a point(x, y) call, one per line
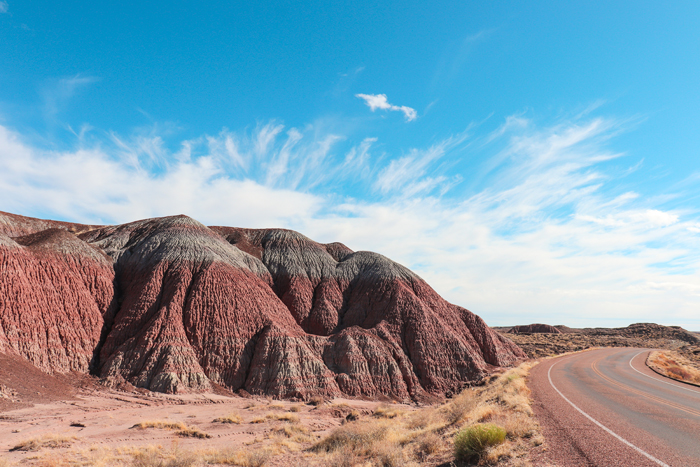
point(55, 292)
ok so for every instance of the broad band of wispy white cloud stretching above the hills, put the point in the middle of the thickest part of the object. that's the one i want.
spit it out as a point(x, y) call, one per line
point(548, 236)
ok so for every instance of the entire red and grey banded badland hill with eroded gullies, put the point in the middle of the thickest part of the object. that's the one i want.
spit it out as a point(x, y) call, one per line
point(171, 305)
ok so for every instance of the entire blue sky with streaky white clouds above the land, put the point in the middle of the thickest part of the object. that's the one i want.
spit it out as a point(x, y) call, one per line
point(533, 161)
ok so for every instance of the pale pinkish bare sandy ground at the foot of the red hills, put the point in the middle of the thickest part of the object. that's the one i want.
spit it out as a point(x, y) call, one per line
point(102, 419)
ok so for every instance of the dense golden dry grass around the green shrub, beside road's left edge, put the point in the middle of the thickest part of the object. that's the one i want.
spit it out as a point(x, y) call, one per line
point(393, 437)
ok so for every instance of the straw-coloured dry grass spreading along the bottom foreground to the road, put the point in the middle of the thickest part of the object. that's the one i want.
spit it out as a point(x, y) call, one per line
point(391, 435)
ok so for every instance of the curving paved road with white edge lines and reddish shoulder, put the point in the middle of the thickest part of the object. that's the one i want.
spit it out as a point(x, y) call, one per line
point(606, 408)
